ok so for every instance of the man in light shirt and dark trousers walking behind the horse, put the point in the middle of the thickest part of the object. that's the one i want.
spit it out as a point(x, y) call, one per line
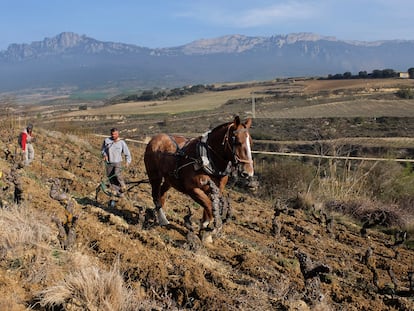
point(113, 148)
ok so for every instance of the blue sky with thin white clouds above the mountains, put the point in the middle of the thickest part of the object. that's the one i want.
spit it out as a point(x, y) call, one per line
point(169, 23)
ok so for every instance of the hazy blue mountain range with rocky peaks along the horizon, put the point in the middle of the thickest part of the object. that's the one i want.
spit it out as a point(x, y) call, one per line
point(78, 61)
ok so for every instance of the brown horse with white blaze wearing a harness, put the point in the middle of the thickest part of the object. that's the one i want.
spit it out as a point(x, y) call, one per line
point(200, 166)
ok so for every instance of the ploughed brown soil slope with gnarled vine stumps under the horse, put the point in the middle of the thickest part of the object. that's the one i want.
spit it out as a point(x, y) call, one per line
point(269, 255)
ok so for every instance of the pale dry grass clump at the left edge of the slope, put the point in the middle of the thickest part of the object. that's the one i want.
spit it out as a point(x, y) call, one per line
point(27, 247)
